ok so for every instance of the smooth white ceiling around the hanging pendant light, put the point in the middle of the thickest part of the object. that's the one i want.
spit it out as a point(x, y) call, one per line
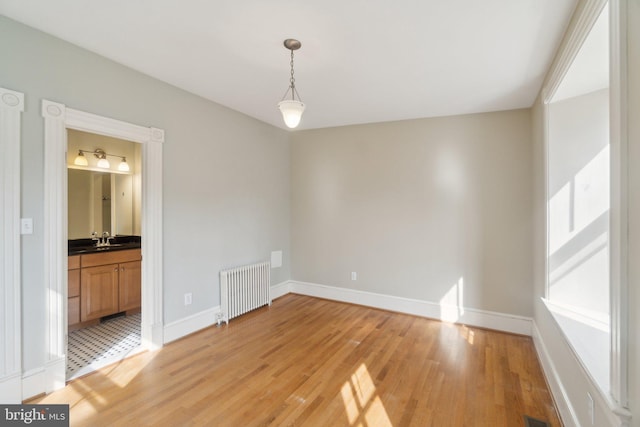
point(361, 61)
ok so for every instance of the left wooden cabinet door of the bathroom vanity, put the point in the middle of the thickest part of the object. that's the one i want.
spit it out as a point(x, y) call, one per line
point(99, 291)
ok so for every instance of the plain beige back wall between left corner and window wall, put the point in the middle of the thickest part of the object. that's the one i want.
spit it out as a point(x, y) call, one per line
point(418, 207)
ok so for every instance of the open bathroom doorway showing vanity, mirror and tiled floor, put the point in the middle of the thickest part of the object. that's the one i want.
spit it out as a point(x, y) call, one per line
point(104, 200)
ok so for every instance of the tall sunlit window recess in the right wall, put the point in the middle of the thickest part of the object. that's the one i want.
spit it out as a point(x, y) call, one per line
point(579, 203)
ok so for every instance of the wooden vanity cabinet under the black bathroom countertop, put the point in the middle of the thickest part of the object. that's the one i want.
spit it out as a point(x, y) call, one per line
point(110, 282)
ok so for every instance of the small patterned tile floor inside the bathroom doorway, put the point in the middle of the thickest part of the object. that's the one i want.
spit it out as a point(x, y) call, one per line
point(94, 347)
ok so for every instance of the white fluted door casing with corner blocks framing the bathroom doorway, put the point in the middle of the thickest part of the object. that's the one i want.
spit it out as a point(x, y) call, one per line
point(57, 119)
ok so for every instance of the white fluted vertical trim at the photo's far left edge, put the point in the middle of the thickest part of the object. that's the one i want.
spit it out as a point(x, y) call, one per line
point(11, 108)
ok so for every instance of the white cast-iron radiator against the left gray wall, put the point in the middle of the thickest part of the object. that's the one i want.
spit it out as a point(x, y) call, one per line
point(243, 289)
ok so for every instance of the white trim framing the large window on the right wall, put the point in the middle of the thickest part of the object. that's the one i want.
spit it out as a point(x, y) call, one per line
point(586, 17)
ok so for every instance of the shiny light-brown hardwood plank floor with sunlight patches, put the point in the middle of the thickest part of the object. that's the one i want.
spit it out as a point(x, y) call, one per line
point(313, 362)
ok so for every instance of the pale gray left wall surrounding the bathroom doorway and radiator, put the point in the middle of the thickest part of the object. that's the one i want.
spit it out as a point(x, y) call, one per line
point(226, 176)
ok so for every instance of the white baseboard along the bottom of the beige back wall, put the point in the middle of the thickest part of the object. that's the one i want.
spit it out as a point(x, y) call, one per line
point(451, 314)
